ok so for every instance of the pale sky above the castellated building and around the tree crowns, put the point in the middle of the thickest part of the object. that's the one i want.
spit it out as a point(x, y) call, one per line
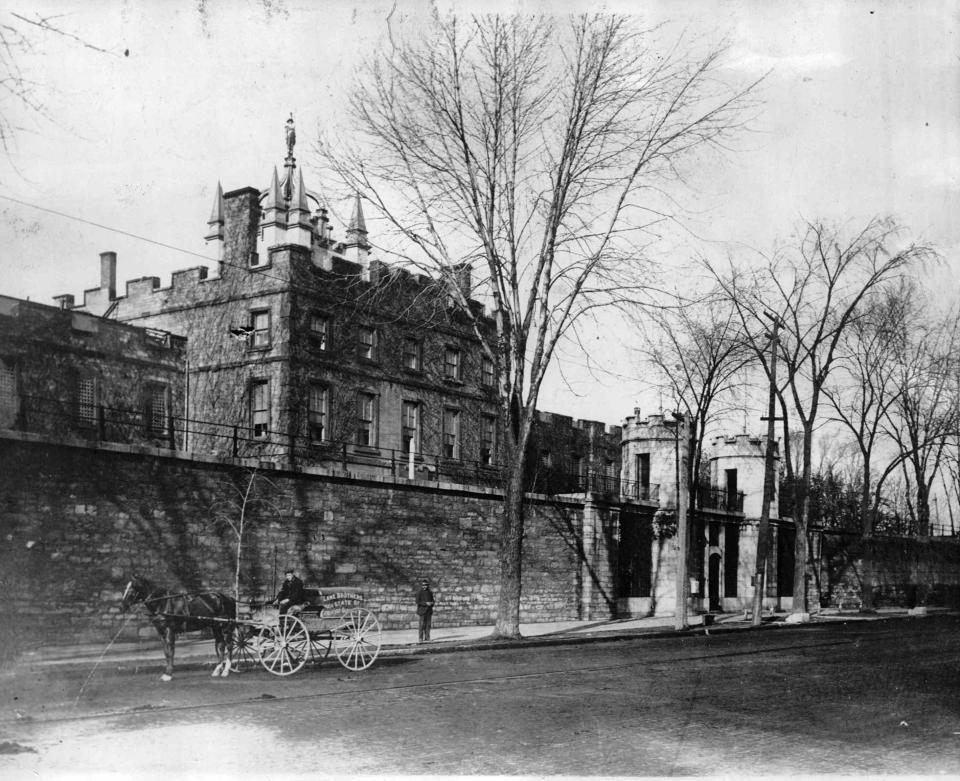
point(151, 104)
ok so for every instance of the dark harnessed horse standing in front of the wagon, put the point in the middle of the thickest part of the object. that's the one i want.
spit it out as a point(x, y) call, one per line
point(171, 612)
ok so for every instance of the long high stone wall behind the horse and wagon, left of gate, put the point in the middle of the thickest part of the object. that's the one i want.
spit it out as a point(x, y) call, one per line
point(77, 521)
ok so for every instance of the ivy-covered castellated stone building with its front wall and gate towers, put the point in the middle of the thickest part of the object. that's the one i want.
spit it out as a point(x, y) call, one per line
point(354, 409)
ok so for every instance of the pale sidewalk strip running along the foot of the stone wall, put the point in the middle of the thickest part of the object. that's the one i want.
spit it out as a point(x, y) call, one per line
point(194, 652)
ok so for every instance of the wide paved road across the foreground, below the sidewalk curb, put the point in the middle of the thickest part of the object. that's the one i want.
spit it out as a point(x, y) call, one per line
point(863, 698)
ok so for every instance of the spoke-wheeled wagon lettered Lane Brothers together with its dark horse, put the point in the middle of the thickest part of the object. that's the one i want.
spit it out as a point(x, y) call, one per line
point(334, 620)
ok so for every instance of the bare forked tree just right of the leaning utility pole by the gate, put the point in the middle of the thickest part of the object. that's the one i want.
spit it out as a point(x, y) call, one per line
point(817, 290)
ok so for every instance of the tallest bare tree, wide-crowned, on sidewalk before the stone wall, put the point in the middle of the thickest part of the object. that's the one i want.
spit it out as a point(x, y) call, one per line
point(524, 146)
